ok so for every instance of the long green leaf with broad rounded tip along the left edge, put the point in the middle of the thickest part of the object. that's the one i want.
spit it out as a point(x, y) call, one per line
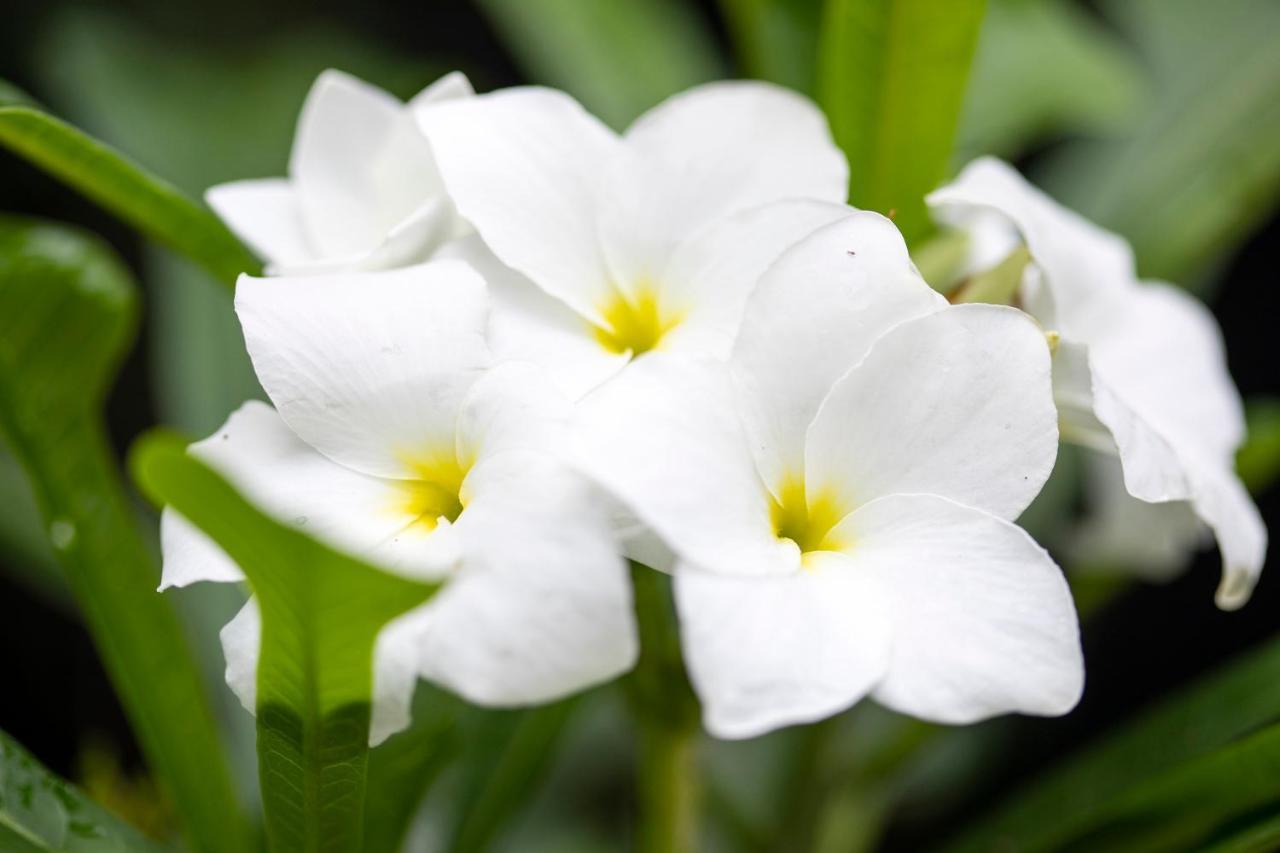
point(67, 314)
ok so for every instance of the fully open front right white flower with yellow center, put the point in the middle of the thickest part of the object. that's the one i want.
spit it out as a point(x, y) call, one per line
point(840, 495)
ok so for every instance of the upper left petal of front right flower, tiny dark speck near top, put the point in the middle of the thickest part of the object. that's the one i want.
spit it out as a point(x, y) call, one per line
point(815, 314)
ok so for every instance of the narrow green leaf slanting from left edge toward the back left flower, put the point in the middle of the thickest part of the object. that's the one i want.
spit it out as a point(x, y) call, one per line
point(117, 184)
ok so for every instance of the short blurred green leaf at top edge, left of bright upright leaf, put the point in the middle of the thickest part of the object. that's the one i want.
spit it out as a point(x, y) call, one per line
point(776, 40)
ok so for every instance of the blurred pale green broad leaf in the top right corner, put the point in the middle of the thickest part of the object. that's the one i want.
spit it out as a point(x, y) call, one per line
point(1199, 167)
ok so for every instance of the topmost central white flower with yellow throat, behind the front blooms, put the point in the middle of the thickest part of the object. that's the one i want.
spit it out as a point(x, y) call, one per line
point(624, 245)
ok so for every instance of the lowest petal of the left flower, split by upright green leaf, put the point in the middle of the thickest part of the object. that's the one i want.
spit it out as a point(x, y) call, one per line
point(395, 668)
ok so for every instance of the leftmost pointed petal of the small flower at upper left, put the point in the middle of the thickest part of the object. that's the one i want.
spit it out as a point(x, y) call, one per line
point(266, 216)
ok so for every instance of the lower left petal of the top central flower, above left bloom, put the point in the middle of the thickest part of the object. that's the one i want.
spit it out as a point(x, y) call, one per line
point(532, 326)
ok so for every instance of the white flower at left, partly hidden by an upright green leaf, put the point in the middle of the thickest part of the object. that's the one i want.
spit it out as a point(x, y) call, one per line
point(396, 440)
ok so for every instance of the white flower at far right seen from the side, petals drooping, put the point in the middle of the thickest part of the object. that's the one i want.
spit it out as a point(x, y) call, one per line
point(1141, 372)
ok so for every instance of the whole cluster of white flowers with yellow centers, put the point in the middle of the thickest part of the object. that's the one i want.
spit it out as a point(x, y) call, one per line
point(511, 349)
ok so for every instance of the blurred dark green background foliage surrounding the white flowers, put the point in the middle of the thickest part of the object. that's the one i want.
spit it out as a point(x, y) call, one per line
point(1158, 118)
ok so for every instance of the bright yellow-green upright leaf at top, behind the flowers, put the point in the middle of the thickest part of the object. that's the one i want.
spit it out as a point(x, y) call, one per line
point(892, 77)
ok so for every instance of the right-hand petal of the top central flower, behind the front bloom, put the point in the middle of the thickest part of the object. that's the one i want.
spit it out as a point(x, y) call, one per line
point(712, 275)
